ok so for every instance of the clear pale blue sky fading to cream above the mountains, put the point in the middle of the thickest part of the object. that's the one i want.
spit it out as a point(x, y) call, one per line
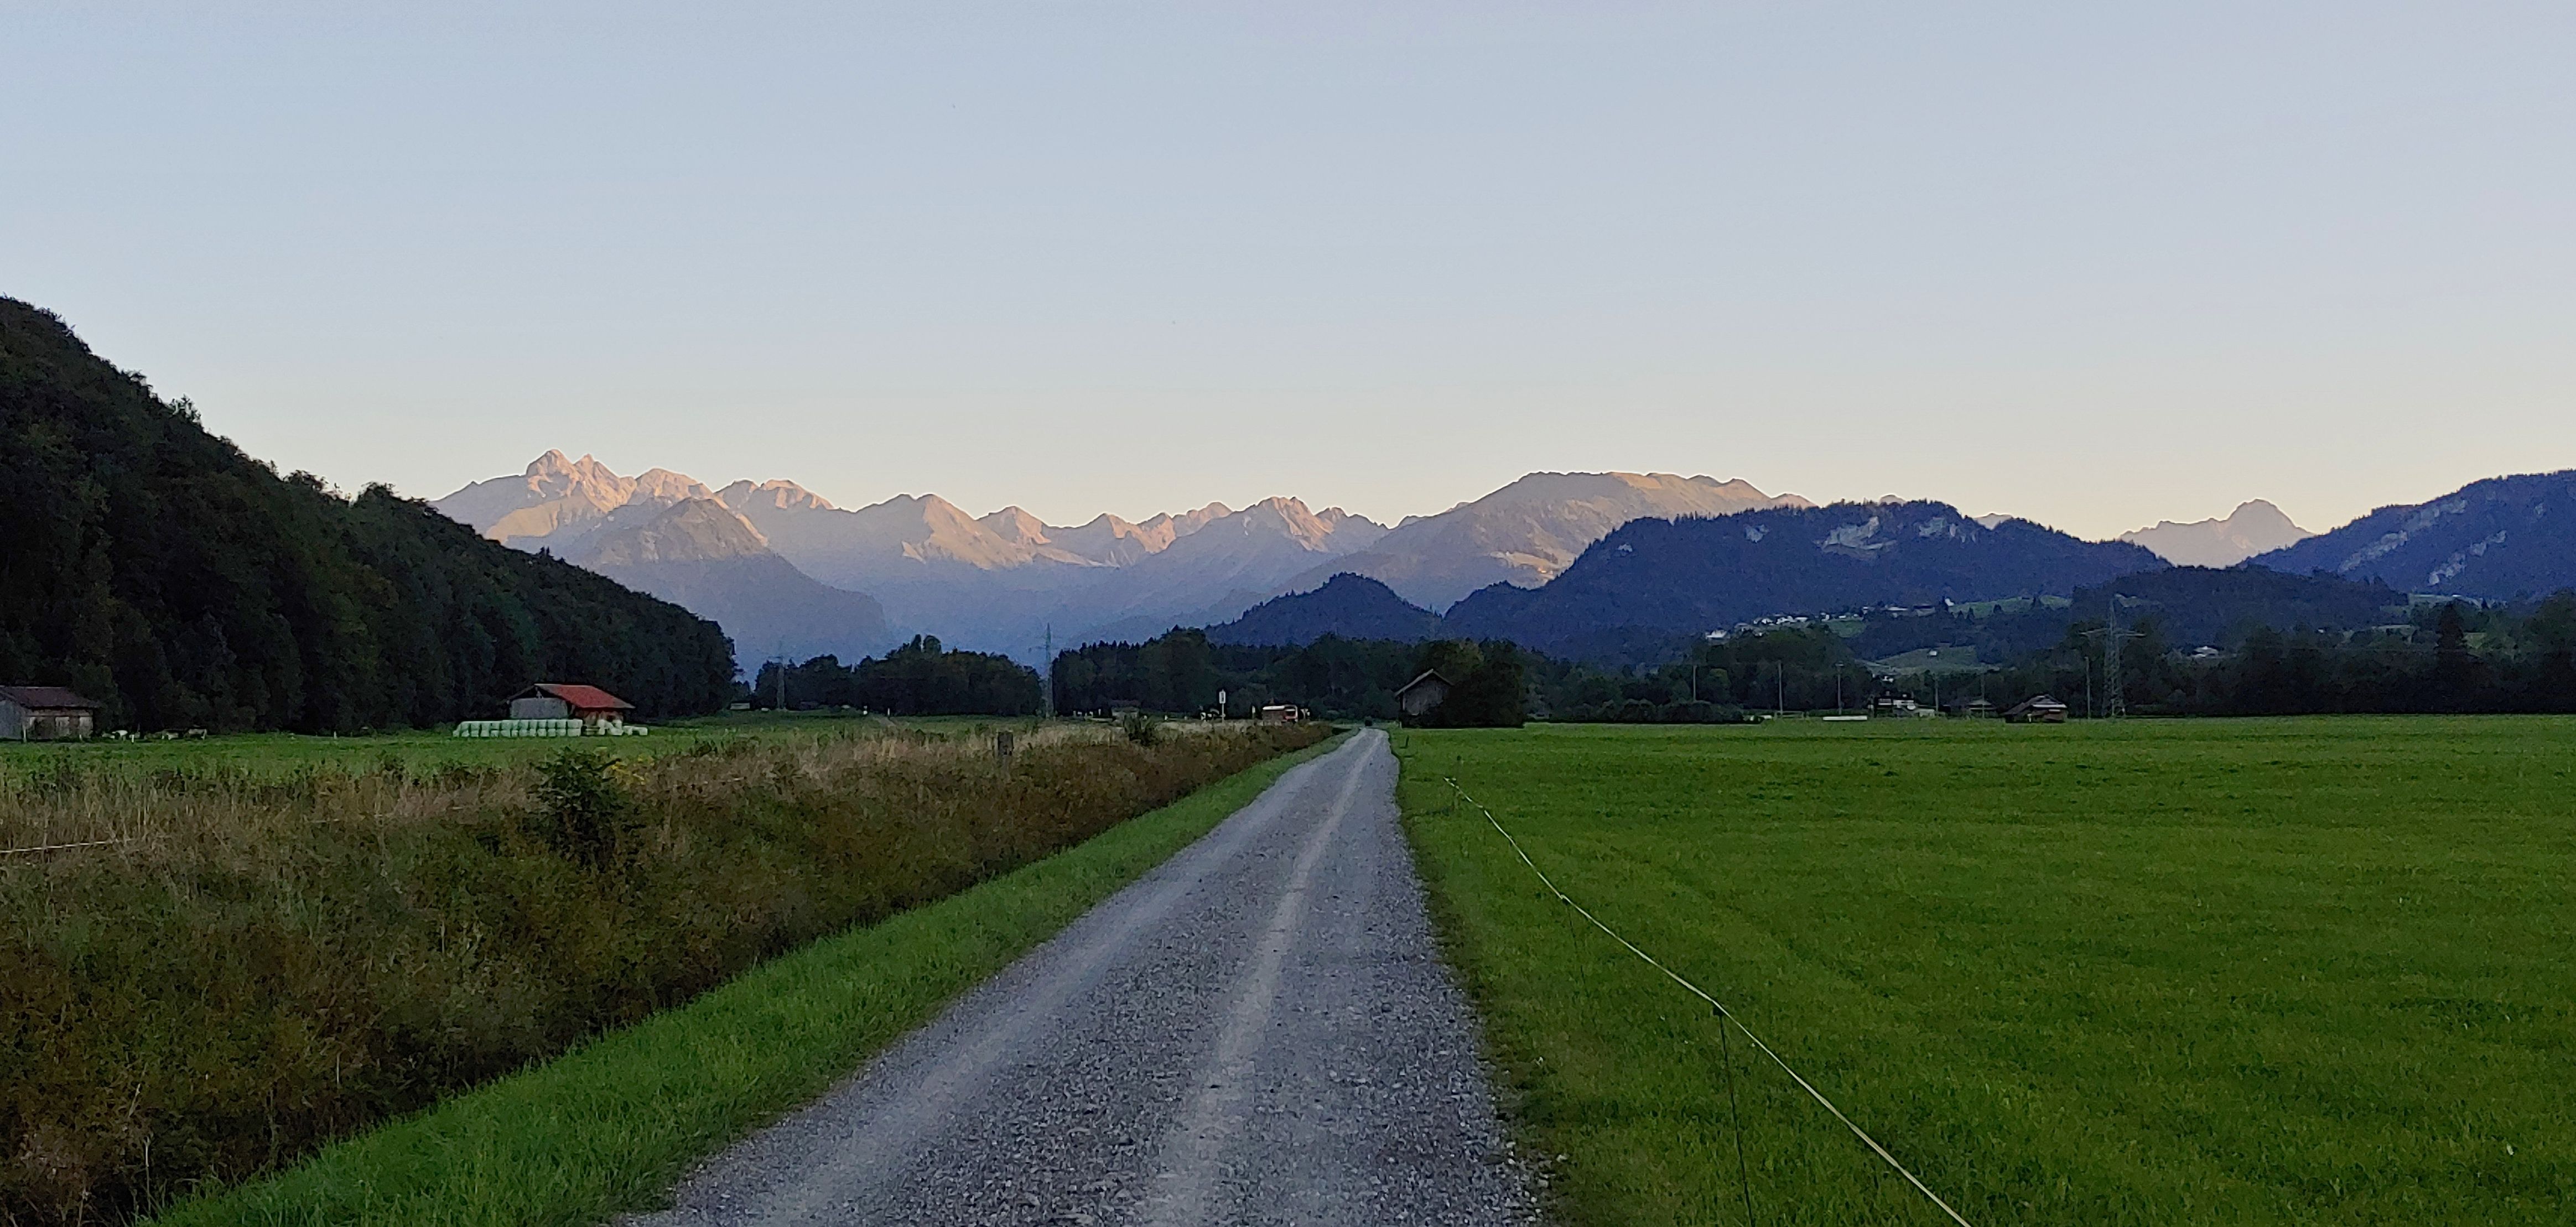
point(2090, 264)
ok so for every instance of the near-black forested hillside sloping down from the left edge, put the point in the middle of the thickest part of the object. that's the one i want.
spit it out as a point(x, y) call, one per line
point(184, 584)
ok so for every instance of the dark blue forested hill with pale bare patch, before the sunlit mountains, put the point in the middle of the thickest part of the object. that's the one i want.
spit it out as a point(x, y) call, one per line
point(1699, 576)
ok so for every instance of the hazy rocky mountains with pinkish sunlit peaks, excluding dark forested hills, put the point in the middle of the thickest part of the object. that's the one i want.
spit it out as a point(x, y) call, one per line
point(1009, 581)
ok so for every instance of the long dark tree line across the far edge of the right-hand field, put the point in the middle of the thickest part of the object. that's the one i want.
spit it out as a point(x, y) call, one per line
point(2438, 659)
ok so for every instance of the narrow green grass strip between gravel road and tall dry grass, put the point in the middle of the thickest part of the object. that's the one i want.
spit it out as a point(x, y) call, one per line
point(617, 1123)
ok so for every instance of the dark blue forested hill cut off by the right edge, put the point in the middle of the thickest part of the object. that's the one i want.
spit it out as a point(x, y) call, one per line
point(2503, 540)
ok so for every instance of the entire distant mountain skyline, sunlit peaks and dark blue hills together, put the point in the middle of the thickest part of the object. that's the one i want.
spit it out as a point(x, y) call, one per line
point(1567, 563)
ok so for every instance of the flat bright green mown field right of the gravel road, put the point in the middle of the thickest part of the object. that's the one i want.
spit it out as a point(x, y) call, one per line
point(2147, 973)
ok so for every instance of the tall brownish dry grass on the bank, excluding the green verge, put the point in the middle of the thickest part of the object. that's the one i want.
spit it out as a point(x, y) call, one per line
point(264, 963)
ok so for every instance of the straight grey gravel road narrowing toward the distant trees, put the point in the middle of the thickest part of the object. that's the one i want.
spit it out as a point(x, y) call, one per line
point(1258, 1032)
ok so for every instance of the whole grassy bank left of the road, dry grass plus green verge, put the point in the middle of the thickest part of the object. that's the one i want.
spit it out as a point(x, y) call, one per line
point(292, 960)
